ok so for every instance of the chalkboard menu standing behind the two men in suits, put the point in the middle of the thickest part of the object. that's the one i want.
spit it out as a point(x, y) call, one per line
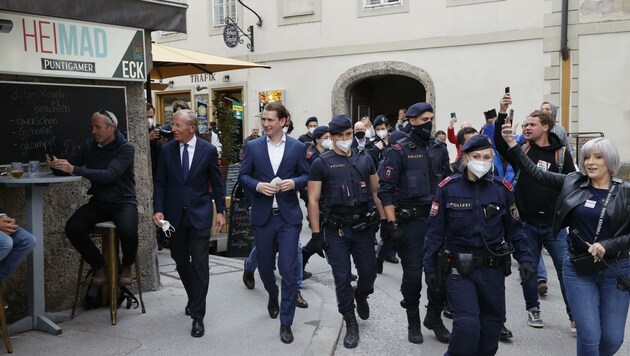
point(240, 235)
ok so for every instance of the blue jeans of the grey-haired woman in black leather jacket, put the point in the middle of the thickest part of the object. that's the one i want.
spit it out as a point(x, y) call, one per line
point(599, 308)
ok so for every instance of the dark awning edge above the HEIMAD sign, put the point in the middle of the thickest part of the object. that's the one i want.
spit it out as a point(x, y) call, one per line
point(151, 15)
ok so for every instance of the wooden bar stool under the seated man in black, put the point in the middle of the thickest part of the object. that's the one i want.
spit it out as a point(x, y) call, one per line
point(109, 239)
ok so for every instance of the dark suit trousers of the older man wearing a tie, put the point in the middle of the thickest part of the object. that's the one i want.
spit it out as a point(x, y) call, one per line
point(190, 248)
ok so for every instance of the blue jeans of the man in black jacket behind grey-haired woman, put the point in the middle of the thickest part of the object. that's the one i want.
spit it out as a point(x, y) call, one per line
point(537, 237)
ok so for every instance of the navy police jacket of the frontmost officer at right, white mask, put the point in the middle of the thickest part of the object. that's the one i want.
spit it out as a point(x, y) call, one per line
point(464, 210)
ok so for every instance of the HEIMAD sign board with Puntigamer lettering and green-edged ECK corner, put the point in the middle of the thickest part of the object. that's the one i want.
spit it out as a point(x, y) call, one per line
point(54, 47)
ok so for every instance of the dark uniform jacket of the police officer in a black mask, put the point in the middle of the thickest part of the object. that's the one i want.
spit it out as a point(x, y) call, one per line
point(412, 169)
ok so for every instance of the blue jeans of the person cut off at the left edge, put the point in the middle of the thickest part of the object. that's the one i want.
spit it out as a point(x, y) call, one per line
point(13, 249)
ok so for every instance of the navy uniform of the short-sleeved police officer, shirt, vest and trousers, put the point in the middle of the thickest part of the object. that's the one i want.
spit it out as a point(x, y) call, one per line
point(345, 199)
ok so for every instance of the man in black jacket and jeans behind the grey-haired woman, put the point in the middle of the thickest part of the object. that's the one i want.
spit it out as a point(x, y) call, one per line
point(536, 203)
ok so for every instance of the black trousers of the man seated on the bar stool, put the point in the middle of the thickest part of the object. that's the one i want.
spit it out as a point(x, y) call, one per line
point(125, 216)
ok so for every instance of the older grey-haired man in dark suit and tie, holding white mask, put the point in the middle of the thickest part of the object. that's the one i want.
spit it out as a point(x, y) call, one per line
point(182, 197)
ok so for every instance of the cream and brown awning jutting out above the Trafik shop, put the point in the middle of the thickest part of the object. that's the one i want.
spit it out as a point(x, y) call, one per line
point(172, 62)
